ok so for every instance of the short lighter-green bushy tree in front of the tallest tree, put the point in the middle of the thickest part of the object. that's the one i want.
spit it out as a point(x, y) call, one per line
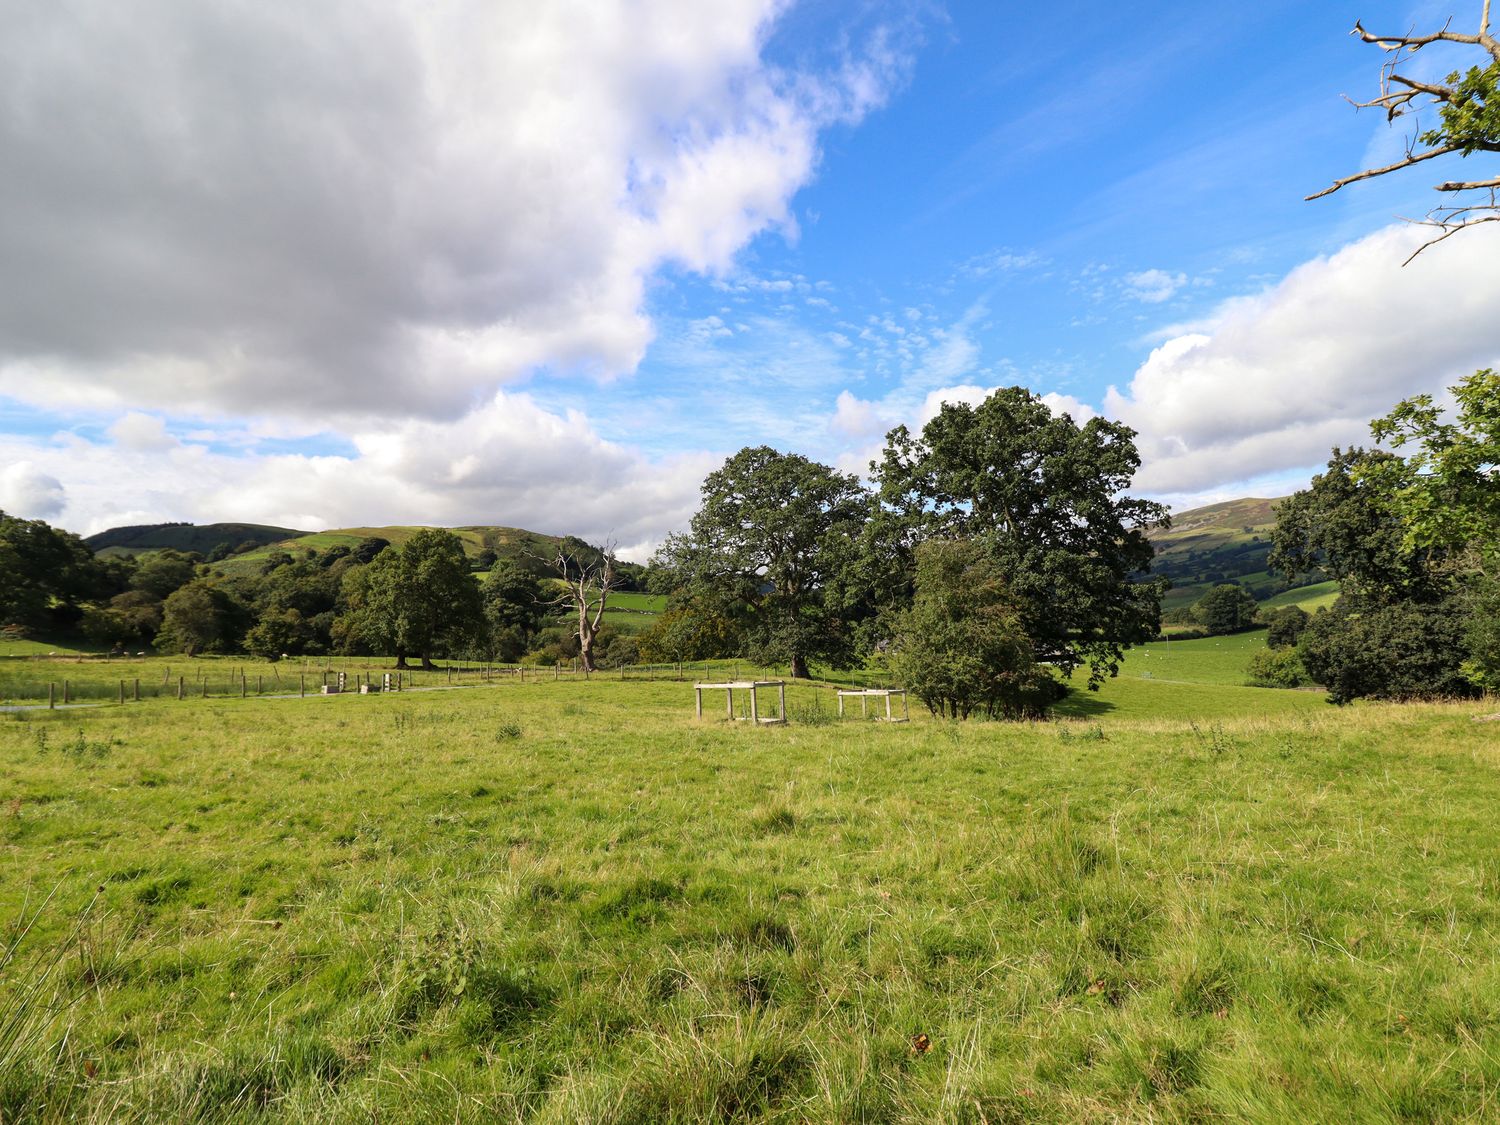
point(961, 647)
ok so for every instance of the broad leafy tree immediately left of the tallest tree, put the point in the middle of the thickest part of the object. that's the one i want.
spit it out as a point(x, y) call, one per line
point(770, 548)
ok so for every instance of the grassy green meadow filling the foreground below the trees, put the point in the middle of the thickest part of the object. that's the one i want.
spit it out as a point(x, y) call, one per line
point(566, 901)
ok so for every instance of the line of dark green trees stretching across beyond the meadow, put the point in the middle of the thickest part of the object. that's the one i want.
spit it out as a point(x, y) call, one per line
point(986, 560)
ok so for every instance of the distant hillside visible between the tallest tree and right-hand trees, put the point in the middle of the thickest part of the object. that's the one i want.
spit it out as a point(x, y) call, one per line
point(1219, 544)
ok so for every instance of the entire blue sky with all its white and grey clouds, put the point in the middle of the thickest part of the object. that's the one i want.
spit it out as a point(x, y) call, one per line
point(550, 269)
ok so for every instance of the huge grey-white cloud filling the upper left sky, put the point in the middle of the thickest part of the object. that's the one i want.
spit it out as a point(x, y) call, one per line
point(355, 211)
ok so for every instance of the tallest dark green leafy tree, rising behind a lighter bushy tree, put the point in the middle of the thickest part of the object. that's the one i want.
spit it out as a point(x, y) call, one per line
point(1046, 499)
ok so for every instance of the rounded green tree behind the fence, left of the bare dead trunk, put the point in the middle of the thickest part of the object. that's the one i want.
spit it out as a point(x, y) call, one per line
point(419, 596)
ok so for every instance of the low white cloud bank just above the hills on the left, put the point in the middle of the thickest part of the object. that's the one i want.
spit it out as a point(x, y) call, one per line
point(506, 463)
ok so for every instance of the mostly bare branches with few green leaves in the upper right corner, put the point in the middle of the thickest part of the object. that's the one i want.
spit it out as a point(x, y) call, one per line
point(1469, 121)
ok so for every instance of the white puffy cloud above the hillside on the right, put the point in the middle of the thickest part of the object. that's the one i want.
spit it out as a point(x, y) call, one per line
point(1273, 382)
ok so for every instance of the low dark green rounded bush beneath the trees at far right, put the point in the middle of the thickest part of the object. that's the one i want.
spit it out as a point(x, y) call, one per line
point(1405, 650)
